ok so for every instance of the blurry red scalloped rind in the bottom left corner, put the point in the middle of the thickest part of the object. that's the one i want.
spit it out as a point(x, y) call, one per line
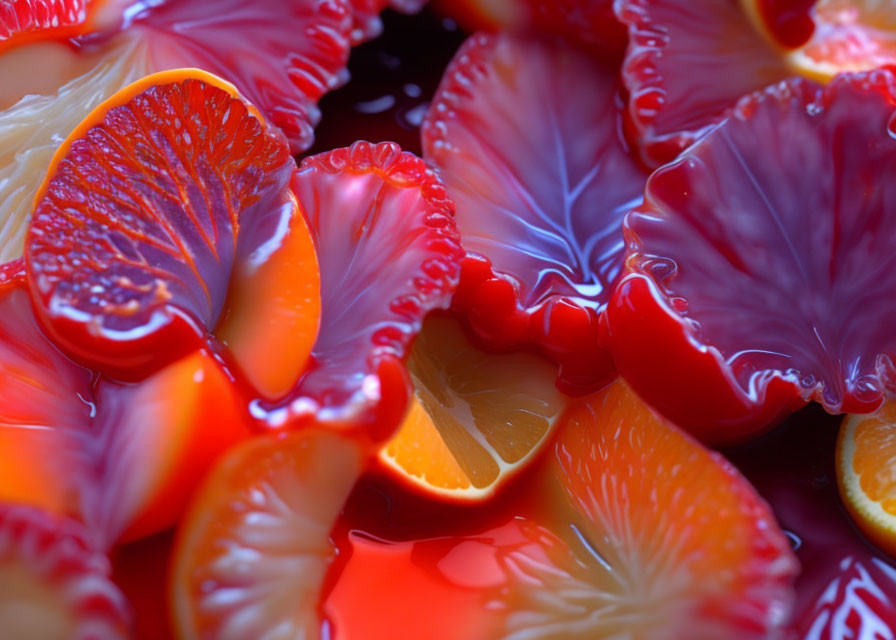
point(55, 553)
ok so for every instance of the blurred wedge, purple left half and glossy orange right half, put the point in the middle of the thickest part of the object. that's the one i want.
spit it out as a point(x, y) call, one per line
point(158, 439)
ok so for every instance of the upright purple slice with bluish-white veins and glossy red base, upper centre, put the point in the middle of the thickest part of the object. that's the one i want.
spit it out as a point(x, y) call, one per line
point(544, 236)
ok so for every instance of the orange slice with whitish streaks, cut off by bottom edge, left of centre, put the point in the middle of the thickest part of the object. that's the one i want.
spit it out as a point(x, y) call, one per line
point(252, 553)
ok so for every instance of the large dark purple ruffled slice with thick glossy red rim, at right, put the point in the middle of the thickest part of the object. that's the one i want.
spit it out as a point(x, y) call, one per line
point(755, 257)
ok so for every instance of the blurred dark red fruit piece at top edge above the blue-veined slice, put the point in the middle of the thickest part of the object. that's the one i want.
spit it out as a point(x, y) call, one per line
point(591, 23)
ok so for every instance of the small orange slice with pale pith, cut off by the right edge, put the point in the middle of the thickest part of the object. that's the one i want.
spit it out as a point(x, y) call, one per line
point(866, 473)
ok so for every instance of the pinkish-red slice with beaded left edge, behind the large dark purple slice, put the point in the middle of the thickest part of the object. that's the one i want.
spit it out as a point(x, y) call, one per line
point(687, 63)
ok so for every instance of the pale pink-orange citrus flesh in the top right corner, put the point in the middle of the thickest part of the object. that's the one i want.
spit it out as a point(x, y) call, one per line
point(850, 35)
